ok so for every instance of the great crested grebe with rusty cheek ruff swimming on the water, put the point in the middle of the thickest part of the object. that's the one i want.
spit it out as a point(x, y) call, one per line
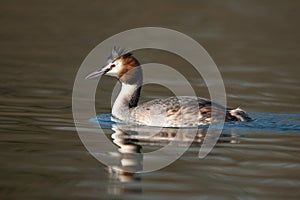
point(173, 111)
